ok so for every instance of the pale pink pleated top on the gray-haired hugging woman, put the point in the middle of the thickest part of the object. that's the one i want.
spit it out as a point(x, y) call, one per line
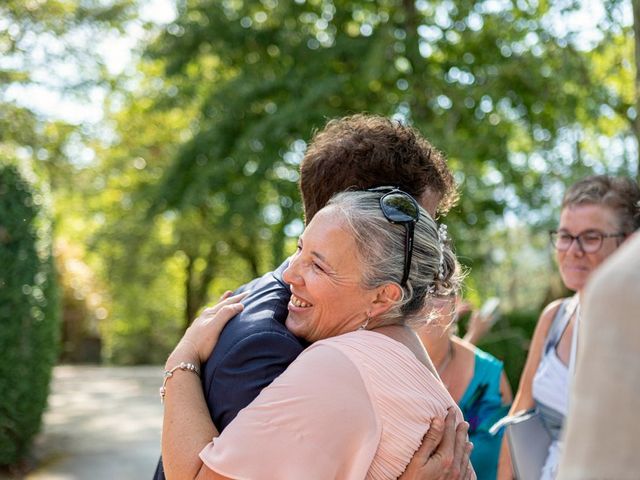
point(349, 407)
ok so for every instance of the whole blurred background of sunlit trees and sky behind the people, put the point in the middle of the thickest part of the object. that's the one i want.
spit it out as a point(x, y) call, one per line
point(172, 146)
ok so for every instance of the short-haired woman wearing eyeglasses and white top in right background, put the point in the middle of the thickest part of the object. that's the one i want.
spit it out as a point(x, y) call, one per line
point(598, 213)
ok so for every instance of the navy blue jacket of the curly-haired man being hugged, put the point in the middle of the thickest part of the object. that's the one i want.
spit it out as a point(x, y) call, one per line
point(254, 348)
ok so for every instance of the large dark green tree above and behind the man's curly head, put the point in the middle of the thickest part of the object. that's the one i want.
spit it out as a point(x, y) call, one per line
point(514, 103)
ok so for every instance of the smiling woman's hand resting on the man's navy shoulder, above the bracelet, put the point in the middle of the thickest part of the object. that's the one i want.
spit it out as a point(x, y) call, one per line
point(201, 337)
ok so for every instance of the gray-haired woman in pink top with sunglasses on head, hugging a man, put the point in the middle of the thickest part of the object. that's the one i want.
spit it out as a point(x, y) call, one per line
point(357, 402)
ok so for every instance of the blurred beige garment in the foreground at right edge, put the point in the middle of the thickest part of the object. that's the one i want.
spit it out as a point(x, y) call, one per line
point(602, 428)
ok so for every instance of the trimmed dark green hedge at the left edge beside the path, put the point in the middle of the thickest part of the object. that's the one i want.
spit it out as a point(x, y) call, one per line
point(29, 312)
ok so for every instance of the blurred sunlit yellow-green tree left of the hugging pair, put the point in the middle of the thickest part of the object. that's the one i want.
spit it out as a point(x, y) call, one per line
point(159, 269)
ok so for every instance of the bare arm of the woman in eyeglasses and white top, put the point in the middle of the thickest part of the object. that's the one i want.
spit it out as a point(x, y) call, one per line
point(524, 396)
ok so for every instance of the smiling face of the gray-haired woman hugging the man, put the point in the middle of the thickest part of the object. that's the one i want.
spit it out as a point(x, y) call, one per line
point(325, 277)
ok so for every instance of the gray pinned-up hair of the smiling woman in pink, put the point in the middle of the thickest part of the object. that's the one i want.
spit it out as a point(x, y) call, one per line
point(380, 246)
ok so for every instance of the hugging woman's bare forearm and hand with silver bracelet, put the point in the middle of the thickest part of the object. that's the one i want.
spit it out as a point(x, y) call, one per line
point(187, 427)
